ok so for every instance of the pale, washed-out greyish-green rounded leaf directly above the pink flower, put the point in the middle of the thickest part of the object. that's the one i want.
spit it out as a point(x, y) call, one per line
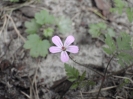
point(64, 24)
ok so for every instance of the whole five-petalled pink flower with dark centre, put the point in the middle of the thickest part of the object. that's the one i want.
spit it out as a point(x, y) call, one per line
point(63, 48)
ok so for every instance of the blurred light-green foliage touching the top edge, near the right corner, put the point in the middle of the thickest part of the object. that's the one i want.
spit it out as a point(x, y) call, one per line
point(119, 6)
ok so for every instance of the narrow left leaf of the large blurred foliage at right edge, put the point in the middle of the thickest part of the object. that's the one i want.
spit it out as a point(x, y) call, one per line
point(111, 45)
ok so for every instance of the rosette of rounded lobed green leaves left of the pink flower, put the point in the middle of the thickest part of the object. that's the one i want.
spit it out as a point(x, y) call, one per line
point(40, 29)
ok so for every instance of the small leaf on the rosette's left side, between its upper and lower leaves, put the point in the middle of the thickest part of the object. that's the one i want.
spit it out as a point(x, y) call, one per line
point(32, 27)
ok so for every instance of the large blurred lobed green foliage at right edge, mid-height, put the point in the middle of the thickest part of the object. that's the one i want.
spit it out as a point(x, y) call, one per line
point(120, 48)
